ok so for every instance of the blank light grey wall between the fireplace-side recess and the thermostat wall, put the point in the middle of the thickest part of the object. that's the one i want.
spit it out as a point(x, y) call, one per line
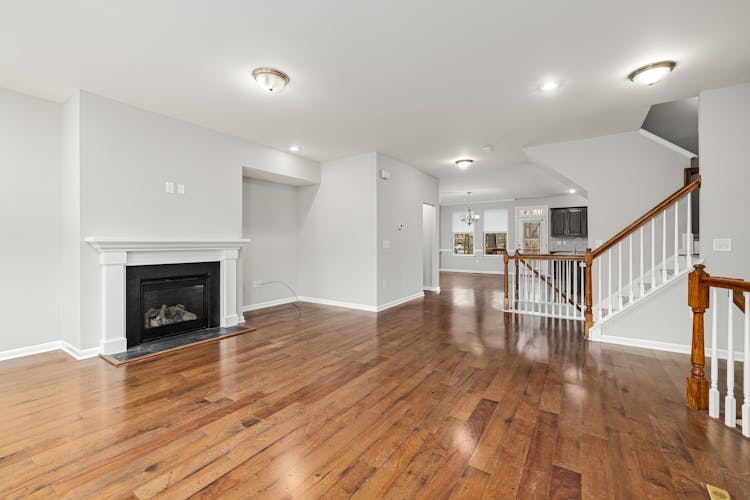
point(338, 233)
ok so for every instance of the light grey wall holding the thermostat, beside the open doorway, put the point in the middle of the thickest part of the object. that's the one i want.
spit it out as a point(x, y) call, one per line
point(400, 200)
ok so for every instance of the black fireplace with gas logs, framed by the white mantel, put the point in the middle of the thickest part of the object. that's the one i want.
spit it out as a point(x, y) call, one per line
point(169, 299)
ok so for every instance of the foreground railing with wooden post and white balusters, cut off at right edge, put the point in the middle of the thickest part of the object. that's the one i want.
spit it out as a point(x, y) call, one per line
point(703, 290)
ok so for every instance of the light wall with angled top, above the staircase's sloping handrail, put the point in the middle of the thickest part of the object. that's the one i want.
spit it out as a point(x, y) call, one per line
point(624, 175)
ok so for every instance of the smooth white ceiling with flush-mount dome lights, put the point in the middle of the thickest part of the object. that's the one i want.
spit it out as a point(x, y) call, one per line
point(424, 81)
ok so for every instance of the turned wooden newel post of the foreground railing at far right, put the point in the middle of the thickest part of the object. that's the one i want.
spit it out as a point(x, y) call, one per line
point(697, 385)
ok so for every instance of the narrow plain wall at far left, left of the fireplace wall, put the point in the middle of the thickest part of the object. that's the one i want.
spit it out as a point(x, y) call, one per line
point(30, 199)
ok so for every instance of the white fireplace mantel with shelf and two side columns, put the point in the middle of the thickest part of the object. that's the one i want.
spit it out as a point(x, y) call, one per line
point(115, 254)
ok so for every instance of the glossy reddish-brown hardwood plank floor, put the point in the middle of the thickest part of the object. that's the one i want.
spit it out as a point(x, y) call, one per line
point(445, 397)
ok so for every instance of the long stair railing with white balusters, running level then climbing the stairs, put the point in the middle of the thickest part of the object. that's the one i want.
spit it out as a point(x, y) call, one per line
point(614, 275)
